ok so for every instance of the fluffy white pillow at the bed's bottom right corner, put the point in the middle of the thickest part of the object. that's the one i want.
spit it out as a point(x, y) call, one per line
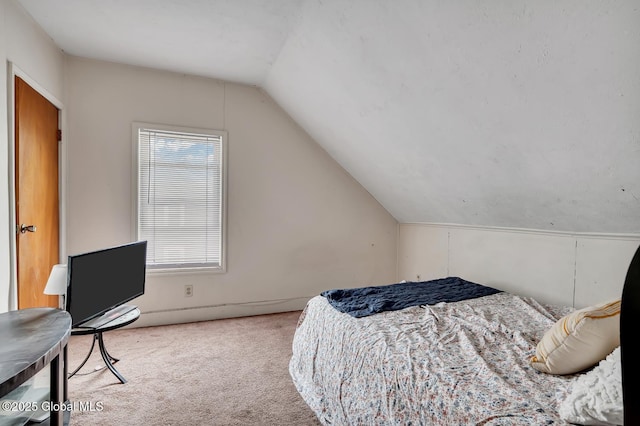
point(596, 397)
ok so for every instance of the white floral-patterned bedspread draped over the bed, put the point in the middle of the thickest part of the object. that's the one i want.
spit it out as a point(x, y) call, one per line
point(460, 363)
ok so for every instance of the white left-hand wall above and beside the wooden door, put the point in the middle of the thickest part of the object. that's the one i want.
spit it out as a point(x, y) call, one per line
point(29, 52)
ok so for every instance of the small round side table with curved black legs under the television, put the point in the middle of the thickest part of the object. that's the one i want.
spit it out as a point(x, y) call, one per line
point(119, 321)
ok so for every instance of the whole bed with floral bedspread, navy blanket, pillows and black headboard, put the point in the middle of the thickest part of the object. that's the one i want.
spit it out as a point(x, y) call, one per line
point(487, 359)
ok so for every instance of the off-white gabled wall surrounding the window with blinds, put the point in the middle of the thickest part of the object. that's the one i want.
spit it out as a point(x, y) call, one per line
point(297, 222)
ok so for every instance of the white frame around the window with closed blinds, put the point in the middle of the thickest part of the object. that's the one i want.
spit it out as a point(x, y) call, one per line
point(135, 169)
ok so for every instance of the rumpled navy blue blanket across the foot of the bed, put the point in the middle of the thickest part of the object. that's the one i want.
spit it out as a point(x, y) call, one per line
point(361, 302)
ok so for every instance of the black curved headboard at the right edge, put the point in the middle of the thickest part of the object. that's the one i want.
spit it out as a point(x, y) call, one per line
point(630, 352)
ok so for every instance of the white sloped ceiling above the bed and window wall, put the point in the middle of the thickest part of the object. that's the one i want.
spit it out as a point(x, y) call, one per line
point(516, 114)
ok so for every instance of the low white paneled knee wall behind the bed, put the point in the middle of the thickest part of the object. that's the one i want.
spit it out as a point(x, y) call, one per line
point(554, 267)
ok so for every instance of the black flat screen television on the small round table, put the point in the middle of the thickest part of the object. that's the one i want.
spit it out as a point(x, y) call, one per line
point(101, 280)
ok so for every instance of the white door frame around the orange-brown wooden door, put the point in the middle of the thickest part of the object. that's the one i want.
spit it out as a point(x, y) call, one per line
point(13, 72)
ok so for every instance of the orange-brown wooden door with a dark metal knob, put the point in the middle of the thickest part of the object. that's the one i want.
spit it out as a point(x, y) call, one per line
point(36, 180)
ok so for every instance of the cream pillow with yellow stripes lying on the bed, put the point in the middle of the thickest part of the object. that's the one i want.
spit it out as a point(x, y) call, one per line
point(579, 340)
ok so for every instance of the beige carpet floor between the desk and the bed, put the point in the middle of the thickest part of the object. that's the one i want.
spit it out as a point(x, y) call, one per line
point(223, 372)
